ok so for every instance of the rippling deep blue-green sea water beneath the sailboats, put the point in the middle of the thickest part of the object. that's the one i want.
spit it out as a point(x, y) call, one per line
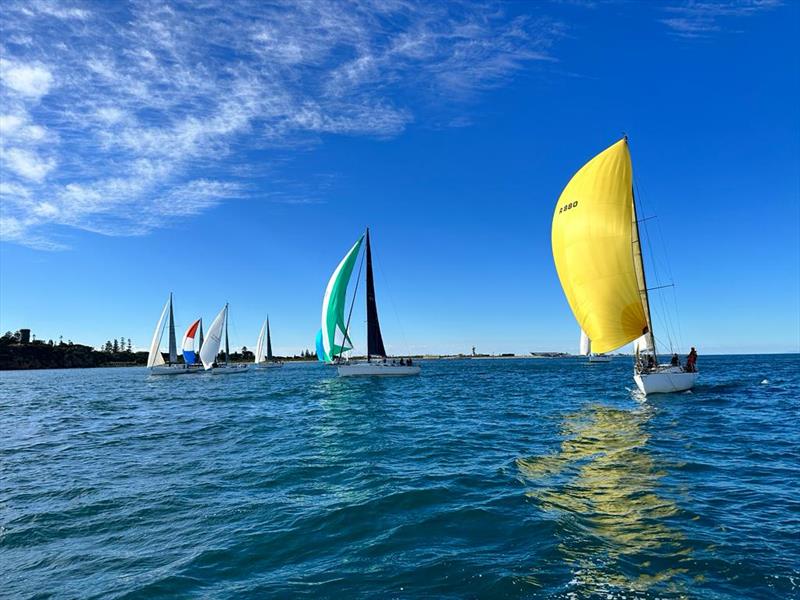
point(477, 479)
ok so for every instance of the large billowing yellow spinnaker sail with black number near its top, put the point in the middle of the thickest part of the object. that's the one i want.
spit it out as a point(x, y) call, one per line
point(593, 250)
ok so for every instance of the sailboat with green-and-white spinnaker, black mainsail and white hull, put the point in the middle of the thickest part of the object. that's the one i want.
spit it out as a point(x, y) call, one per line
point(334, 323)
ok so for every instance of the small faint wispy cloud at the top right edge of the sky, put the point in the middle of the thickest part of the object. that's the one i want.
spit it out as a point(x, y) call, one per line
point(695, 19)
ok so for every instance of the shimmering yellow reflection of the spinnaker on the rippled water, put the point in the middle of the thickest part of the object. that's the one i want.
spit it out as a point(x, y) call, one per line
point(602, 486)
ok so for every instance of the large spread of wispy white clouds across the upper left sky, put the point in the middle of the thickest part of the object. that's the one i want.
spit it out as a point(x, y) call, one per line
point(120, 118)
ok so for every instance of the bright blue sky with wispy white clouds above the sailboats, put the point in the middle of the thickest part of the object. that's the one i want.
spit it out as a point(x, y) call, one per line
point(234, 152)
